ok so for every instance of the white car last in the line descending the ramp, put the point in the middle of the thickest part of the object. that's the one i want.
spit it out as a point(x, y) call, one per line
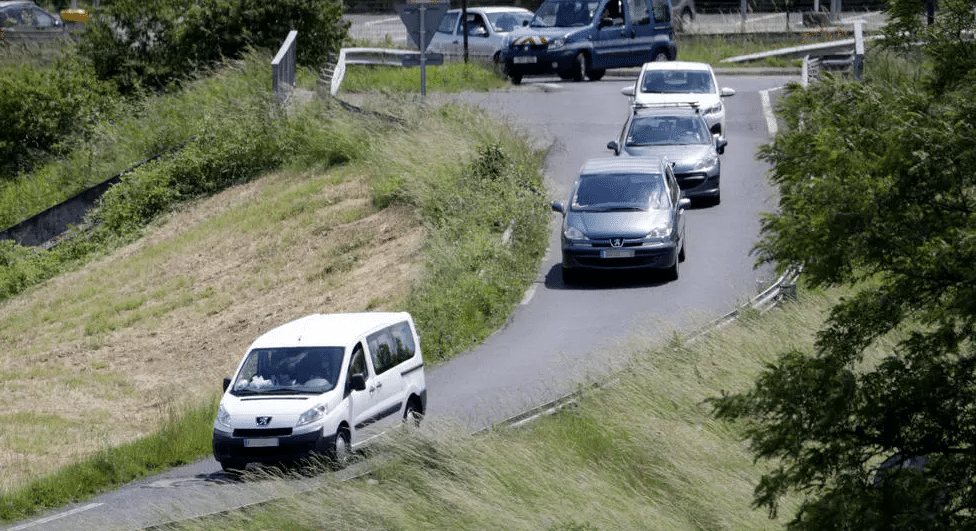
point(682, 82)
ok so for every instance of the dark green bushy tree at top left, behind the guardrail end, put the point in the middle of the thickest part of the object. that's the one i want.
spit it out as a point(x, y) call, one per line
point(152, 45)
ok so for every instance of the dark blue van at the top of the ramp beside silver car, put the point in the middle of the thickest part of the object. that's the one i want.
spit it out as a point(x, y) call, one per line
point(583, 38)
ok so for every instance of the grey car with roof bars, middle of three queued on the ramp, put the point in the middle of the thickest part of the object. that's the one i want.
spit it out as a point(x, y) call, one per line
point(680, 134)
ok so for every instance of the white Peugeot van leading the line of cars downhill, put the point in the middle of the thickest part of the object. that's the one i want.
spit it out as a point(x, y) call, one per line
point(321, 385)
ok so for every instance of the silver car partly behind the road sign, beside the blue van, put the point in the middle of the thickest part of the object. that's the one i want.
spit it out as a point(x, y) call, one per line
point(486, 28)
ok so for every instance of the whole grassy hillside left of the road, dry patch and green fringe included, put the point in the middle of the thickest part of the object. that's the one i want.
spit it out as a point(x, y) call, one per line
point(358, 212)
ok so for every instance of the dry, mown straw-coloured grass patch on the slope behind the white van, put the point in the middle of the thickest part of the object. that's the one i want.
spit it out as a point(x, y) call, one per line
point(140, 333)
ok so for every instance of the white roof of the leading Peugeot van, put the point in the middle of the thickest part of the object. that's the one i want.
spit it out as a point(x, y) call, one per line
point(327, 330)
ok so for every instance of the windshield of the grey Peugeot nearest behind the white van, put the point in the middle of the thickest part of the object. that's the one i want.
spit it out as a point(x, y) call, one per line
point(614, 193)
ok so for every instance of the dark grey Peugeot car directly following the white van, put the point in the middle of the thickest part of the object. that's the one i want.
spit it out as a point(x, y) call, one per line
point(624, 213)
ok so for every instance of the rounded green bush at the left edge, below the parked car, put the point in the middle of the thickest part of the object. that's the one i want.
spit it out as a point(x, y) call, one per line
point(45, 109)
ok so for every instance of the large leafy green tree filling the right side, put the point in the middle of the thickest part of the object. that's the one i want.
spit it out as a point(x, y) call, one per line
point(878, 193)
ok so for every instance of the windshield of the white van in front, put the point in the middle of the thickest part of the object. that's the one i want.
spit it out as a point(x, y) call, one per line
point(289, 370)
